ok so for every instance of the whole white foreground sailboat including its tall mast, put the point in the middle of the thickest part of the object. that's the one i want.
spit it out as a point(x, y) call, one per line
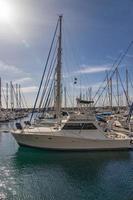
point(80, 132)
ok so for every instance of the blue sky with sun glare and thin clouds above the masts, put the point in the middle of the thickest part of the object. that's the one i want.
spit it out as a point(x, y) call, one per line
point(95, 33)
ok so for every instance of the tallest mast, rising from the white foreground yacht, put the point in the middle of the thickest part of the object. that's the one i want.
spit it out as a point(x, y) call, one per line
point(58, 70)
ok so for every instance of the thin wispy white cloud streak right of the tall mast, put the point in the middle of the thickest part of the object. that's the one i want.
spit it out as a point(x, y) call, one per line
point(93, 69)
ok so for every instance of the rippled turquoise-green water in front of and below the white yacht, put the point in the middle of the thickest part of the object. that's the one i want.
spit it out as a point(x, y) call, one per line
point(27, 174)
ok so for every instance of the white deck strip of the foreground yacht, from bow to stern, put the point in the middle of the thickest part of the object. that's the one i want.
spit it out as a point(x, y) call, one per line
point(92, 134)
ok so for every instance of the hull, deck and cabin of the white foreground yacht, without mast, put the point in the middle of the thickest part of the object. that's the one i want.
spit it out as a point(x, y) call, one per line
point(78, 134)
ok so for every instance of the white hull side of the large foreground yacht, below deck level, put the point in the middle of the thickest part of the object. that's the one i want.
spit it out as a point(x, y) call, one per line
point(70, 143)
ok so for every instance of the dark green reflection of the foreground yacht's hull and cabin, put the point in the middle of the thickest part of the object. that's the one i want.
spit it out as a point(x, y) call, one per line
point(89, 165)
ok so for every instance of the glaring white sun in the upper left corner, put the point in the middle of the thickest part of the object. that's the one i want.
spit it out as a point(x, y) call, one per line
point(6, 12)
